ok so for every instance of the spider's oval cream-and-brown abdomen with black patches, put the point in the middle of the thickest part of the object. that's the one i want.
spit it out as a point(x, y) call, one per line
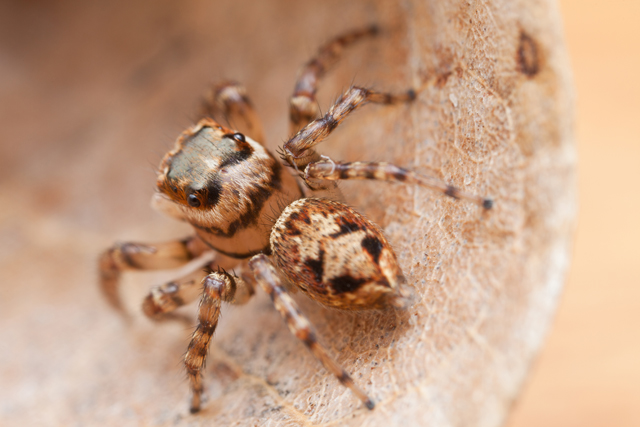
point(337, 256)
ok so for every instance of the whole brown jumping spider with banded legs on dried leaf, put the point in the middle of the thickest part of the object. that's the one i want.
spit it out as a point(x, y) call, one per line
point(228, 186)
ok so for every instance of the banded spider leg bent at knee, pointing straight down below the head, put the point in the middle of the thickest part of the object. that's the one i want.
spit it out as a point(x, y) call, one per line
point(217, 287)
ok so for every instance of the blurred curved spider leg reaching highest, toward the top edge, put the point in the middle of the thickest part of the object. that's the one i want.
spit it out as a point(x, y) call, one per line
point(303, 106)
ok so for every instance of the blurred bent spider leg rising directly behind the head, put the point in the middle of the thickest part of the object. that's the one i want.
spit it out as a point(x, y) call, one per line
point(231, 102)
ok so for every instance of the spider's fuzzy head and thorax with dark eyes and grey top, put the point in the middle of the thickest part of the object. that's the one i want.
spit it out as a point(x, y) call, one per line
point(227, 186)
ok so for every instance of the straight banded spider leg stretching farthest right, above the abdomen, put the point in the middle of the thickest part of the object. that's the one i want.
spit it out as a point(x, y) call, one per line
point(333, 171)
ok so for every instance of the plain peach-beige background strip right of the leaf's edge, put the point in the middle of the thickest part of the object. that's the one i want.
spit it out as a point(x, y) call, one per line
point(589, 371)
